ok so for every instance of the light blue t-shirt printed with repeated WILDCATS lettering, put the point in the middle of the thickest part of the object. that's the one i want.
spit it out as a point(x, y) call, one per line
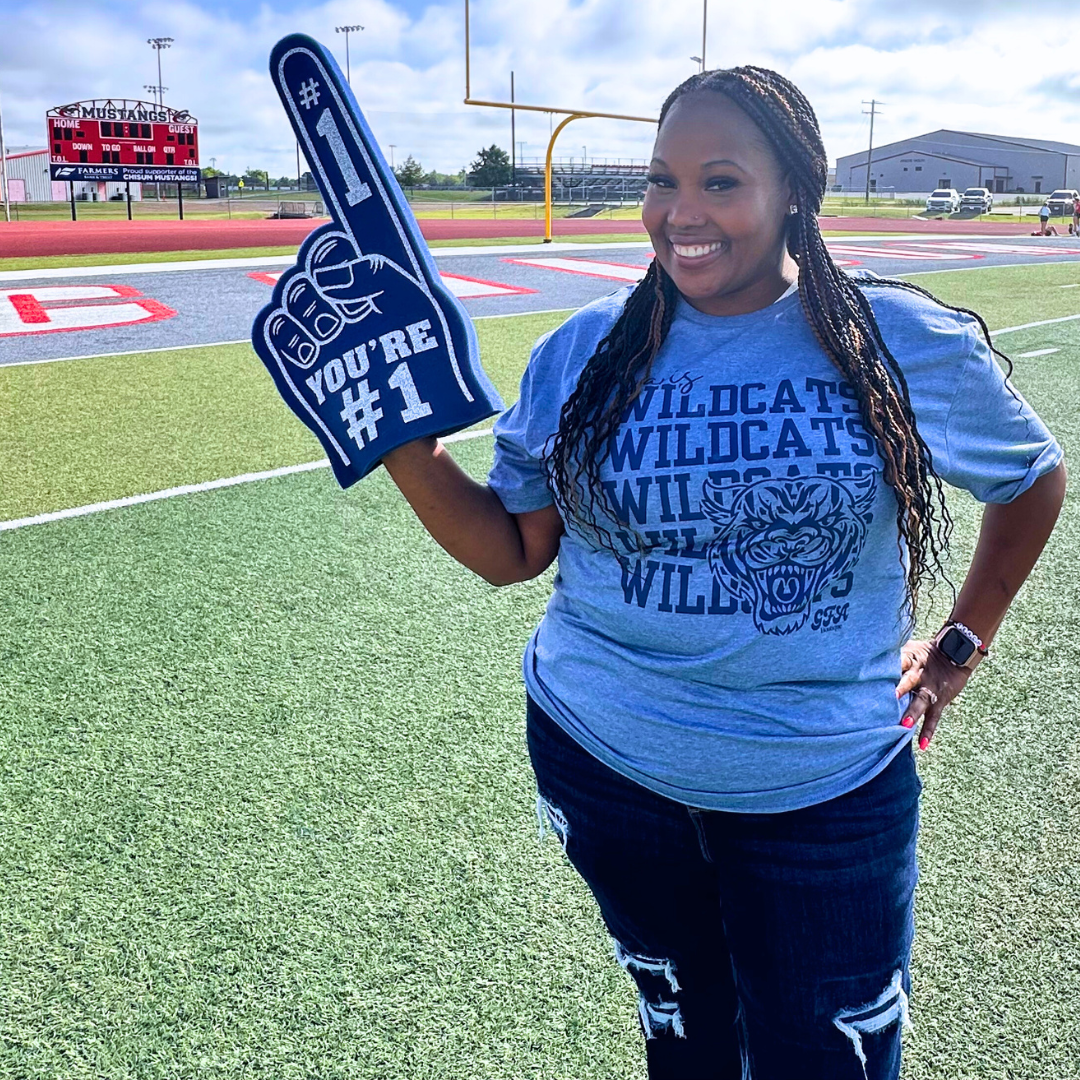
point(744, 650)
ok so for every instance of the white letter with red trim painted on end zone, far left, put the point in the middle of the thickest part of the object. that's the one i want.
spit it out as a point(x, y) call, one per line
point(59, 309)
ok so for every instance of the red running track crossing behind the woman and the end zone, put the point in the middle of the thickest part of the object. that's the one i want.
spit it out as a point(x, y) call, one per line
point(28, 239)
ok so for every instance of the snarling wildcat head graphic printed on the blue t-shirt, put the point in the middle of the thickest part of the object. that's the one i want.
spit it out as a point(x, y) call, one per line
point(781, 543)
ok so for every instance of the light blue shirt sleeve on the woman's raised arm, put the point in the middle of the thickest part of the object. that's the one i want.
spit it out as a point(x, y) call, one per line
point(519, 476)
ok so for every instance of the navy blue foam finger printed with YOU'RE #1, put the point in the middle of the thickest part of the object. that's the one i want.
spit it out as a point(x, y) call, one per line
point(363, 341)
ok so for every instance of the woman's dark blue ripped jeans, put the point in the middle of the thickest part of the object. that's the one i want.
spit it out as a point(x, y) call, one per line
point(764, 947)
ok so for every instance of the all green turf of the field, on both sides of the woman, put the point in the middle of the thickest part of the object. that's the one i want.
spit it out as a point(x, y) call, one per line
point(266, 805)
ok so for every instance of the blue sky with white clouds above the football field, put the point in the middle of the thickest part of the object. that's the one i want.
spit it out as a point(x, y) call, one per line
point(933, 64)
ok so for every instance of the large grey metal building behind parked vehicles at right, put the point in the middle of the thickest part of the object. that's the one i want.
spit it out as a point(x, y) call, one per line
point(948, 159)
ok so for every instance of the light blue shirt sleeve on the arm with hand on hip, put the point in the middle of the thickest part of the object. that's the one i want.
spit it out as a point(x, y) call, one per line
point(996, 447)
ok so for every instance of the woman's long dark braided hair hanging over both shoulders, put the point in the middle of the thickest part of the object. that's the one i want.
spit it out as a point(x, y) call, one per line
point(839, 315)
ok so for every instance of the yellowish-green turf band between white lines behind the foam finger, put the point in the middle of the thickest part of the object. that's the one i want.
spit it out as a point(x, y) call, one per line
point(147, 422)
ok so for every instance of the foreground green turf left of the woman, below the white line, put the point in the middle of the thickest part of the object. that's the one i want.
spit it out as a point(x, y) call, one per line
point(267, 811)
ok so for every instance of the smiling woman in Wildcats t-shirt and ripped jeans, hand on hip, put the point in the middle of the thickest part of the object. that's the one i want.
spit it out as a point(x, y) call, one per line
point(739, 465)
